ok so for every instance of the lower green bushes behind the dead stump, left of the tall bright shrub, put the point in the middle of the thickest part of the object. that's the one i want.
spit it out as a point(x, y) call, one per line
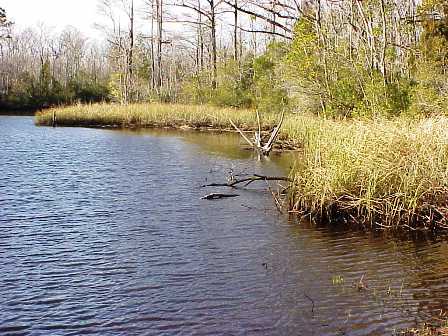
point(249, 83)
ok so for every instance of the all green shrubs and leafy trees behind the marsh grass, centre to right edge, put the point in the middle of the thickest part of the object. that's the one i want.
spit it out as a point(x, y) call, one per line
point(323, 72)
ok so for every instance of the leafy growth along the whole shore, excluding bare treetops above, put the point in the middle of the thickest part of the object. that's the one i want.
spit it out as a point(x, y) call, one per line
point(374, 72)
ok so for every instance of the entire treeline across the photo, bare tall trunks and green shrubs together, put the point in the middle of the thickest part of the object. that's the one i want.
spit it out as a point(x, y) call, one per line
point(345, 59)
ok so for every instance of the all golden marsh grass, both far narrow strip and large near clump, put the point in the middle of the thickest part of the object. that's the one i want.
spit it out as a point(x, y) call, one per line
point(378, 174)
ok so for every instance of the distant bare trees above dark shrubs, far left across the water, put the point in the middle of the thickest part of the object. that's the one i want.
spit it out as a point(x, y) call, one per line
point(39, 68)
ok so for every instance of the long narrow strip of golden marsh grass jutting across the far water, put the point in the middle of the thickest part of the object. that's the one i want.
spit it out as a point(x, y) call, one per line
point(152, 115)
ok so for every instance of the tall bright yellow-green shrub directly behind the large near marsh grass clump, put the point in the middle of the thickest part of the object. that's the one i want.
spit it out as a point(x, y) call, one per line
point(341, 87)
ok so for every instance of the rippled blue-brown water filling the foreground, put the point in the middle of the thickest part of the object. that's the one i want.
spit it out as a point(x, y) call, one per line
point(104, 233)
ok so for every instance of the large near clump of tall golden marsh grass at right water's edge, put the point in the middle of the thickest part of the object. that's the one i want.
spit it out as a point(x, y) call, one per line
point(381, 174)
